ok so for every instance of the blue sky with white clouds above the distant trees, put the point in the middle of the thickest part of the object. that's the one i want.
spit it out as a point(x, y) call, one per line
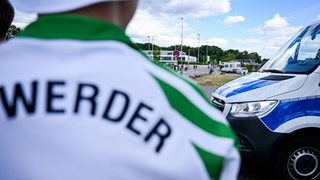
point(254, 25)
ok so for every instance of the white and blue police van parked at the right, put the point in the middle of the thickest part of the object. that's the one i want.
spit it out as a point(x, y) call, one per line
point(275, 112)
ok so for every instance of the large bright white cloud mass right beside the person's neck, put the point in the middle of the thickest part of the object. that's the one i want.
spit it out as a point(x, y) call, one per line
point(162, 20)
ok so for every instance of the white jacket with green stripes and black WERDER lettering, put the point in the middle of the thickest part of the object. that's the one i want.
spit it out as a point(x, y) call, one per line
point(79, 100)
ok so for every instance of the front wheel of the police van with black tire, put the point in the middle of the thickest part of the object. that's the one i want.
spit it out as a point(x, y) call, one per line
point(299, 159)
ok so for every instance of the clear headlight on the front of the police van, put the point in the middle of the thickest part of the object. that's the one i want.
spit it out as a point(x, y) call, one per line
point(251, 109)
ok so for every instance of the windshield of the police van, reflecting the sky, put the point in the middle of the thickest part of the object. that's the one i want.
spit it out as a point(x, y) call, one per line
point(300, 55)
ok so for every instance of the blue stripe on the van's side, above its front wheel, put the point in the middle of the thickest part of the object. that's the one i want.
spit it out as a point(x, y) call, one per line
point(289, 110)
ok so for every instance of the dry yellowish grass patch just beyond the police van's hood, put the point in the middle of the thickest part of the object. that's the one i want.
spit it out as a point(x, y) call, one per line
point(216, 79)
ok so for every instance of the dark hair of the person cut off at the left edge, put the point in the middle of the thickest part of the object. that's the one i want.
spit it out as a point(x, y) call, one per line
point(6, 17)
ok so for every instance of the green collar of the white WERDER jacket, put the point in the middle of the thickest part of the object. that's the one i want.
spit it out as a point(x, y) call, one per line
point(65, 26)
